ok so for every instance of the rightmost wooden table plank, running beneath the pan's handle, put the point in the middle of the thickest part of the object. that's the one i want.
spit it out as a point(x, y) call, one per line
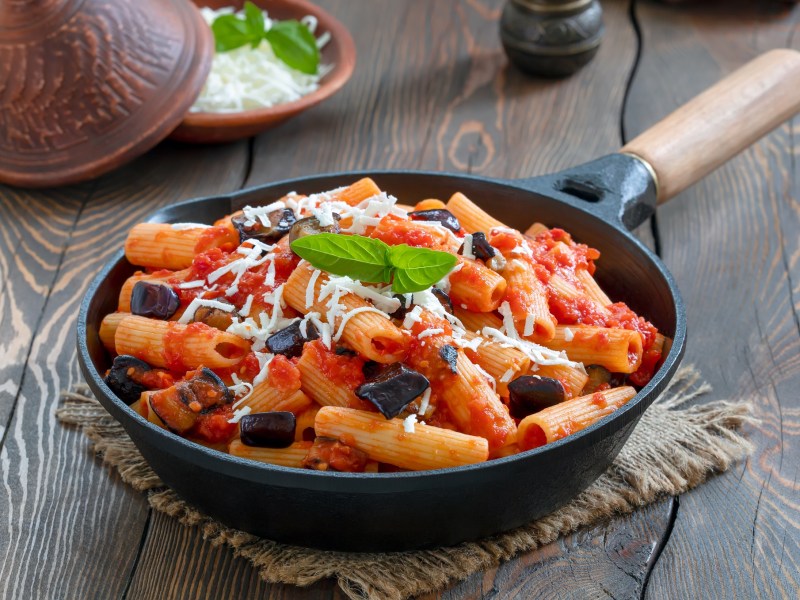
point(732, 244)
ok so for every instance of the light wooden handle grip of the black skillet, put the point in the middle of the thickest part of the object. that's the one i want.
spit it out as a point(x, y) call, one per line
point(715, 126)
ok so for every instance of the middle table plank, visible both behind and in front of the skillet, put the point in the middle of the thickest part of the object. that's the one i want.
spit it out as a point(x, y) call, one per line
point(433, 91)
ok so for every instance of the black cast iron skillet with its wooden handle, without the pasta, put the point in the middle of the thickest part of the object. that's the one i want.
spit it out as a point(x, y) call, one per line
point(598, 203)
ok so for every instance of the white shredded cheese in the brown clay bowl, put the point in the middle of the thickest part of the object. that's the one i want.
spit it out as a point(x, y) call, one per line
point(248, 78)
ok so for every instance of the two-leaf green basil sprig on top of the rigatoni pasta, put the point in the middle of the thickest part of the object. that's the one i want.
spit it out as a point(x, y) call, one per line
point(408, 269)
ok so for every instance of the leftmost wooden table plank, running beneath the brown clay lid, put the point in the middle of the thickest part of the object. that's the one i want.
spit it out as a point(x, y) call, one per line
point(69, 529)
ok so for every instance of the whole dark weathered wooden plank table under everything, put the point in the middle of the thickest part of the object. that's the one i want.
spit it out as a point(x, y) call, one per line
point(433, 90)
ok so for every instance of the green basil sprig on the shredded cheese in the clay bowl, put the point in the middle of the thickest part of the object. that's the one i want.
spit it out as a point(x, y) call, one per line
point(292, 42)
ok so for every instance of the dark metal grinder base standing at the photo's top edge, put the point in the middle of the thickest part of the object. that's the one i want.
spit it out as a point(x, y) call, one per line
point(552, 38)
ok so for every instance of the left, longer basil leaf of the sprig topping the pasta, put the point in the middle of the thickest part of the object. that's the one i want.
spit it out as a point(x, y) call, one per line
point(361, 258)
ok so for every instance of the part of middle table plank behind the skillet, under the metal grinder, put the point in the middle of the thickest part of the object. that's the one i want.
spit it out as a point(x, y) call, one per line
point(433, 90)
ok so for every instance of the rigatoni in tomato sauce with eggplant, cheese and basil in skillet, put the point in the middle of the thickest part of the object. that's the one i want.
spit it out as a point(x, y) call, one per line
point(376, 373)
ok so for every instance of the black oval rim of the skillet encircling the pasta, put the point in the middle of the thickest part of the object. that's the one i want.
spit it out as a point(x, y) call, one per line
point(302, 478)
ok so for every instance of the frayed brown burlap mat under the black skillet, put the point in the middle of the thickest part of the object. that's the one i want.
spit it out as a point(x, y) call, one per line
point(674, 448)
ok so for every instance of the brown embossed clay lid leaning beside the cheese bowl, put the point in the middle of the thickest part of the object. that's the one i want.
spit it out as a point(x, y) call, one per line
point(86, 85)
